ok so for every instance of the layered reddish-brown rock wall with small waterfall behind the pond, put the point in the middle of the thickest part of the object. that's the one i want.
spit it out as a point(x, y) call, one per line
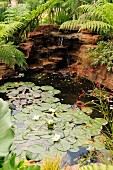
point(48, 50)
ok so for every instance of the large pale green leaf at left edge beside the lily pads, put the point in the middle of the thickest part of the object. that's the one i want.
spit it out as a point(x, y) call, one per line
point(6, 133)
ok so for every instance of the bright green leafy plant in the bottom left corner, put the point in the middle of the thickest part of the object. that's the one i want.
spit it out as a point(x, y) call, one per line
point(10, 164)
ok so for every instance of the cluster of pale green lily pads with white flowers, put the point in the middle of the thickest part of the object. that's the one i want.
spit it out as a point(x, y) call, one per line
point(43, 126)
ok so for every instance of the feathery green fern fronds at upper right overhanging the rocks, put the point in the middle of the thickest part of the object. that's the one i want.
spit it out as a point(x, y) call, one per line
point(94, 17)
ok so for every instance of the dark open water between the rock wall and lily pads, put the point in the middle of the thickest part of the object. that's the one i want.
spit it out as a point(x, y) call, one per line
point(70, 90)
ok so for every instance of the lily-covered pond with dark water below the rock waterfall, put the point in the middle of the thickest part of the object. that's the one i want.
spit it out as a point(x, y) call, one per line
point(46, 118)
